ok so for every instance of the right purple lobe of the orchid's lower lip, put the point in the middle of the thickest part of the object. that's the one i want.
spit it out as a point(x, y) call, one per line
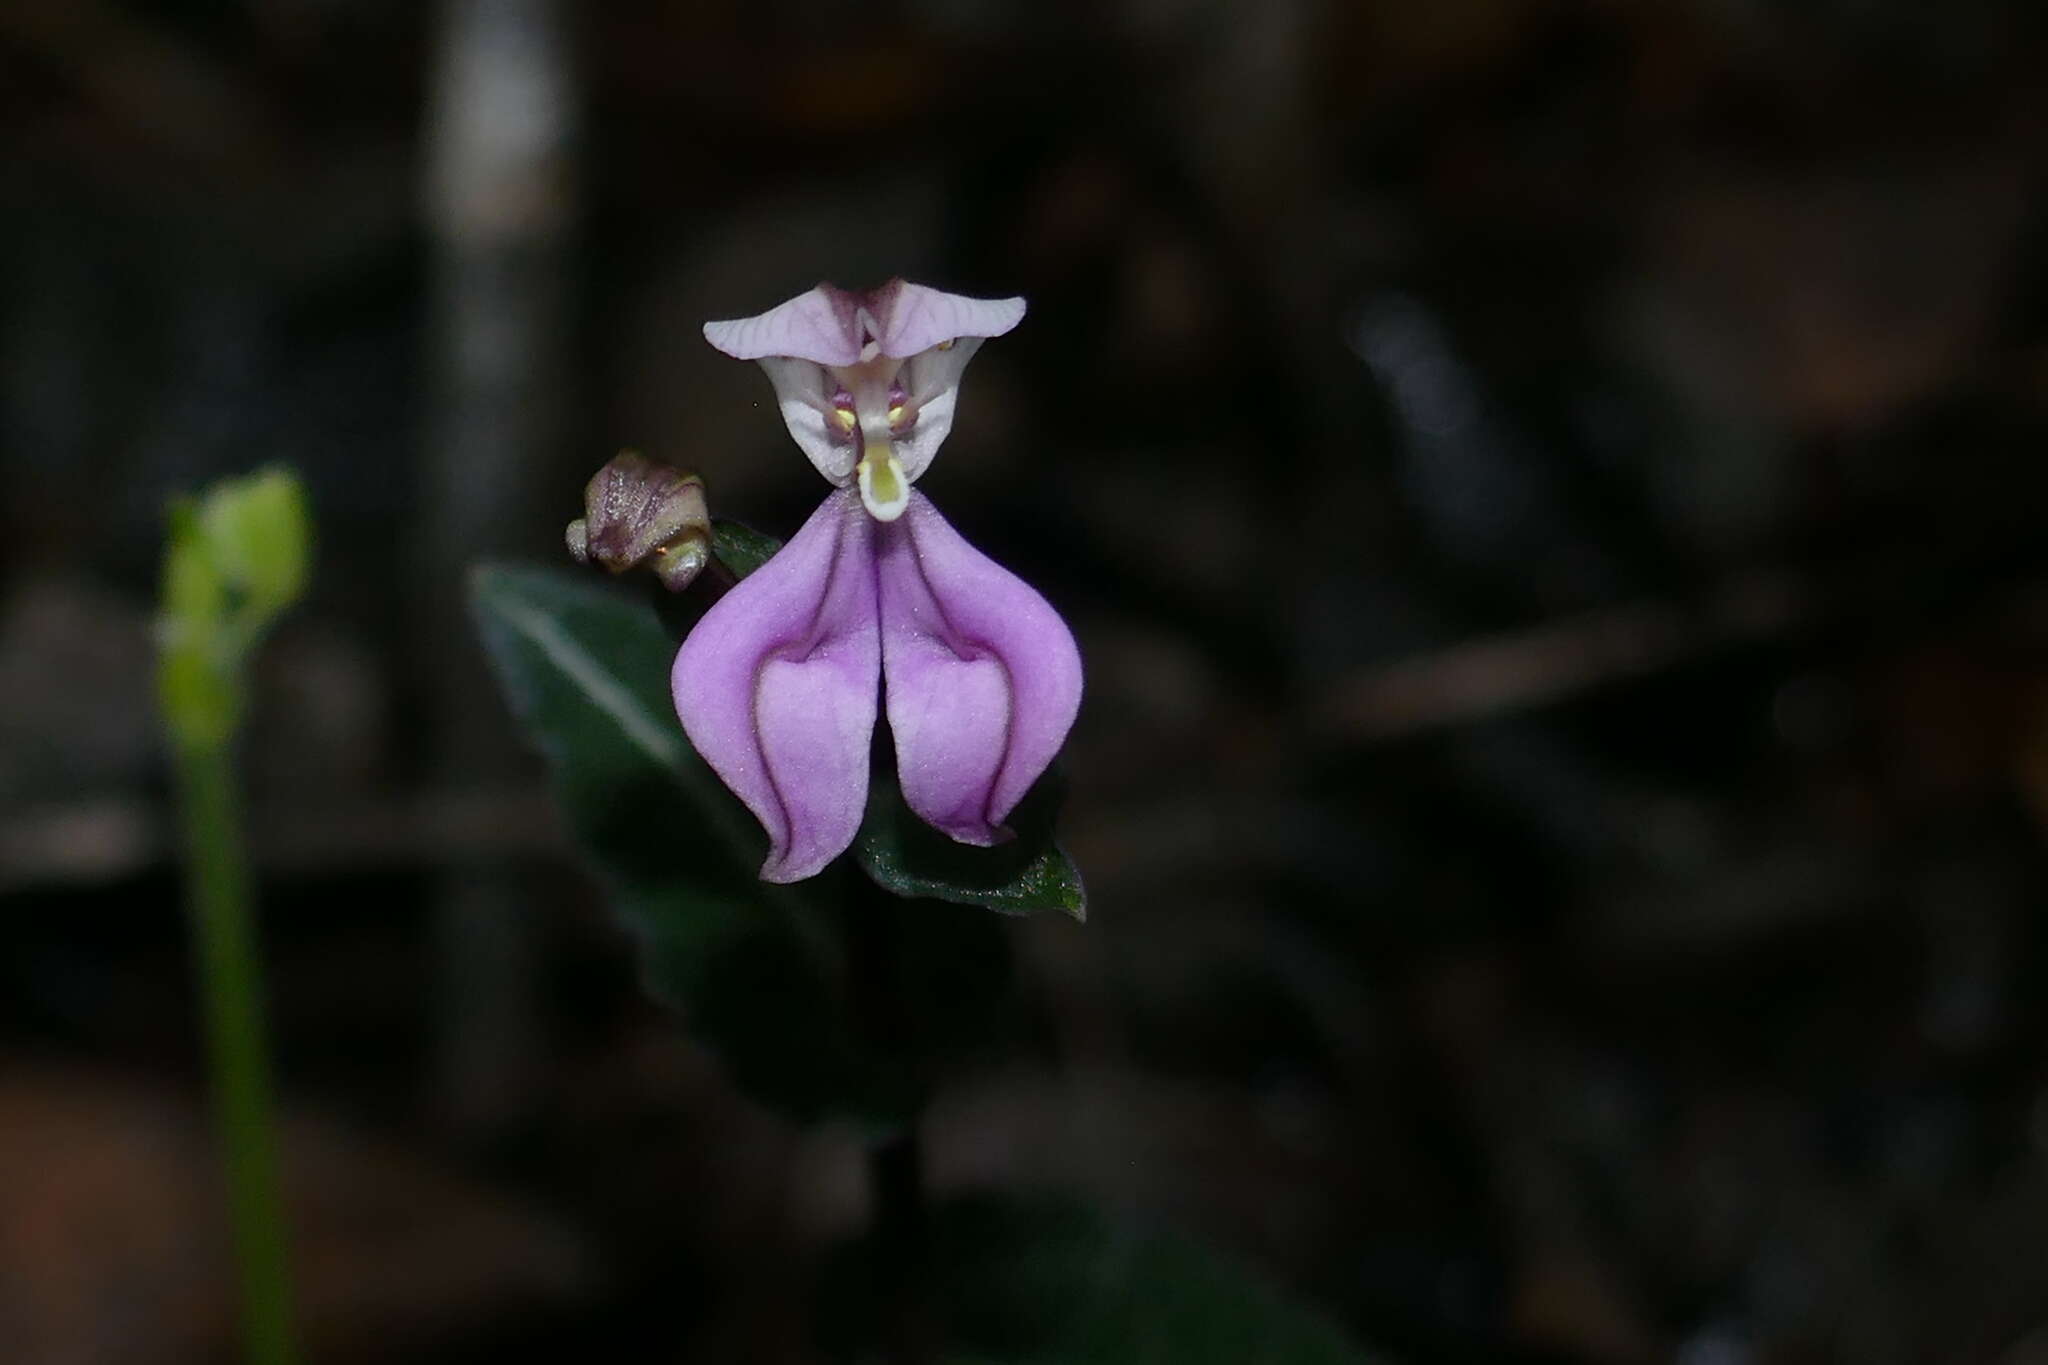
point(982, 676)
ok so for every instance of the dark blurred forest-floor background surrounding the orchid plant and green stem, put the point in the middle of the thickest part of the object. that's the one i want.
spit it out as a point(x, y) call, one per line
point(1549, 492)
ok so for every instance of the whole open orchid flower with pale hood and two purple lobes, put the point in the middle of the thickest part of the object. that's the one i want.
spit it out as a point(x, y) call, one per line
point(876, 597)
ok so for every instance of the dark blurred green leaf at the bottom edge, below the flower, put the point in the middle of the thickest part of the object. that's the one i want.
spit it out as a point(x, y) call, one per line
point(1046, 1282)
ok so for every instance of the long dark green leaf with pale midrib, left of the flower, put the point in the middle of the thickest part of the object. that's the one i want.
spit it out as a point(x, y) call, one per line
point(753, 967)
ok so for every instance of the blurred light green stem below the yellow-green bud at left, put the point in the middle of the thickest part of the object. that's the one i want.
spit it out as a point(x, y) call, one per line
point(237, 1053)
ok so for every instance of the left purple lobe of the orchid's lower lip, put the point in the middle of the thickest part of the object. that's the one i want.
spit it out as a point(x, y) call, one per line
point(777, 689)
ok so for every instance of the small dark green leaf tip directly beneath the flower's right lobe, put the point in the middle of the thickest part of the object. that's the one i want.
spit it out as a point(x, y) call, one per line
point(1021, 877)
